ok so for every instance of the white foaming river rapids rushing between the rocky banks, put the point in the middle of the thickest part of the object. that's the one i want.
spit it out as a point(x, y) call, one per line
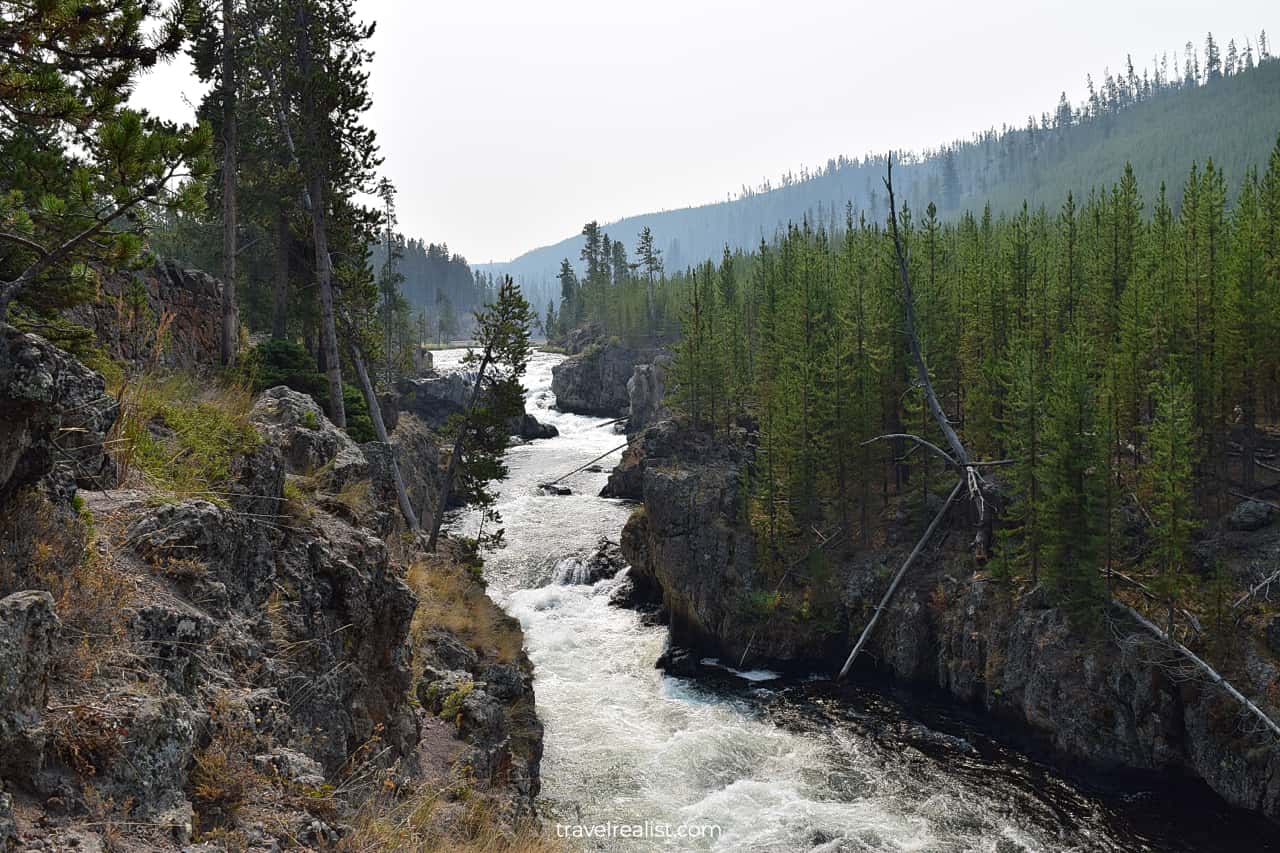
point(771, 764)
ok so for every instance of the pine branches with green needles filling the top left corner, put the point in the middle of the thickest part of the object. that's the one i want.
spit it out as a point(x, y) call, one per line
point(79, 168)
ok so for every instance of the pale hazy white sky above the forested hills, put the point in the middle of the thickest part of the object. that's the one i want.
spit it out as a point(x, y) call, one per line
point(508, 125)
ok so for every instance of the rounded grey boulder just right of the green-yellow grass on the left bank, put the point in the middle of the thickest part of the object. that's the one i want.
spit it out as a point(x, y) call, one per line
point(294, 423)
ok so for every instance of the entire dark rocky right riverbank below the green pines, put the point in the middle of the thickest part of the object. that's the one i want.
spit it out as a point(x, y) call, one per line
point(1109, 697)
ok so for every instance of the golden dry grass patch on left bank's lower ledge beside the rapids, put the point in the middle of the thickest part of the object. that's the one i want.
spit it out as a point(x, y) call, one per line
point(451, 597)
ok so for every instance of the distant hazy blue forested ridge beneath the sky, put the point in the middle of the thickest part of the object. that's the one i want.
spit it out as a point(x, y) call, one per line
point(1220, 103)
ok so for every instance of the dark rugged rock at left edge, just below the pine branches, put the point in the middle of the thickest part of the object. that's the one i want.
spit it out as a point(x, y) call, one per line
point(53, 410)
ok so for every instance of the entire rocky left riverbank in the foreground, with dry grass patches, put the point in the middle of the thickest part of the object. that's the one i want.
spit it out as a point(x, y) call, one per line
point(258, 660)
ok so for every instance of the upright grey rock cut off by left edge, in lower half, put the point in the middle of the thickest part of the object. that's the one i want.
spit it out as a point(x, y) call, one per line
point(29, 631)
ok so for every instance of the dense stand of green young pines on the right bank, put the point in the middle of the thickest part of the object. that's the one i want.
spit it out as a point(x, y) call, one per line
point(1118, 352)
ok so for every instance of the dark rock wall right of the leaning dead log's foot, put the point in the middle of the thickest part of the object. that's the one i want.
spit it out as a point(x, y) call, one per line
point(1114, 704)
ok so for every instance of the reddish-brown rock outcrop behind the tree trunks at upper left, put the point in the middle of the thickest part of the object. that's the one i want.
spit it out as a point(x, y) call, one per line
point(134, 308)
